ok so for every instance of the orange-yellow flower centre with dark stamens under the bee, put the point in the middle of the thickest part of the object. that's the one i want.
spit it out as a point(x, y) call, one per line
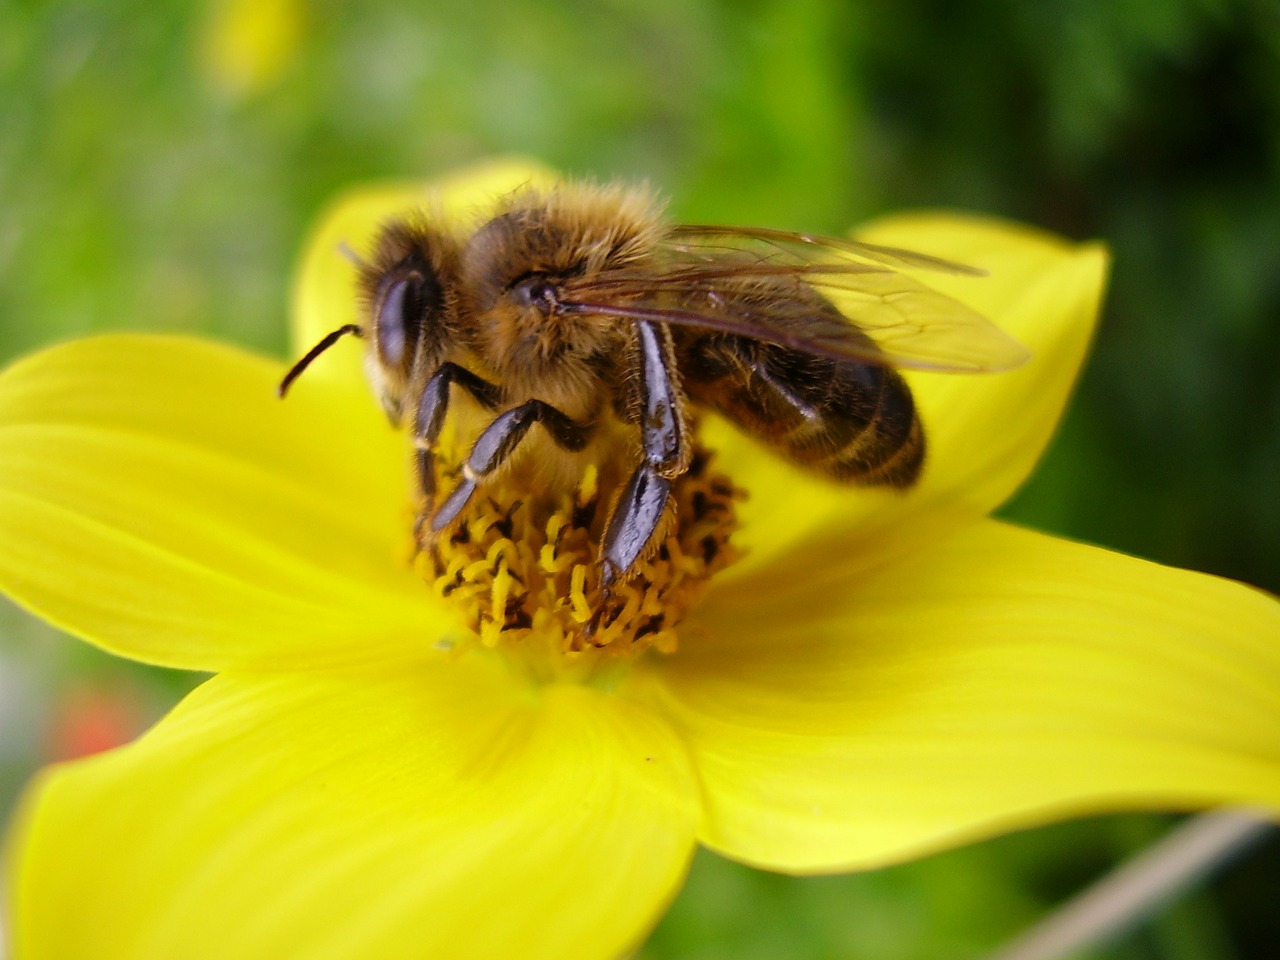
point(523, 573)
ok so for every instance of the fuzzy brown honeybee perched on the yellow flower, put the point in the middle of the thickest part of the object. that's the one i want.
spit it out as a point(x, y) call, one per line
point(582, 305)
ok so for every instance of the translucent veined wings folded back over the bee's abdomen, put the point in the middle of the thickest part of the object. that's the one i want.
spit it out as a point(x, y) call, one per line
point(702, 273)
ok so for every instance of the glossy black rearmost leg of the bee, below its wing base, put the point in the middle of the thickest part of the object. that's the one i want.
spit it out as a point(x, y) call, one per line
point(659, 408)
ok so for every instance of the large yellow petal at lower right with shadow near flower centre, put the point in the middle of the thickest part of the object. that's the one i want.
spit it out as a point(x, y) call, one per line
point(998, 680)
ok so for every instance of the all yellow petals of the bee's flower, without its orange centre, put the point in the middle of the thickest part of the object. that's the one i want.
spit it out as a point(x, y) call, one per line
point(881, 675)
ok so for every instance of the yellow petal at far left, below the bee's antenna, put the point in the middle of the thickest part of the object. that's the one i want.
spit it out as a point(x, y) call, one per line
point(159, 501)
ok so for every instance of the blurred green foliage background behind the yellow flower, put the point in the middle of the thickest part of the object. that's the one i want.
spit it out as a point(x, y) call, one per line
point(149, 180)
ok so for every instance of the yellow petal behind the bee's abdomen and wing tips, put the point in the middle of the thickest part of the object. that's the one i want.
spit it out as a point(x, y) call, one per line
point(985, 432)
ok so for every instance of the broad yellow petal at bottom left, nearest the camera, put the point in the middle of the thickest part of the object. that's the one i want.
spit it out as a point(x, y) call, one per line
point(383, 813)
